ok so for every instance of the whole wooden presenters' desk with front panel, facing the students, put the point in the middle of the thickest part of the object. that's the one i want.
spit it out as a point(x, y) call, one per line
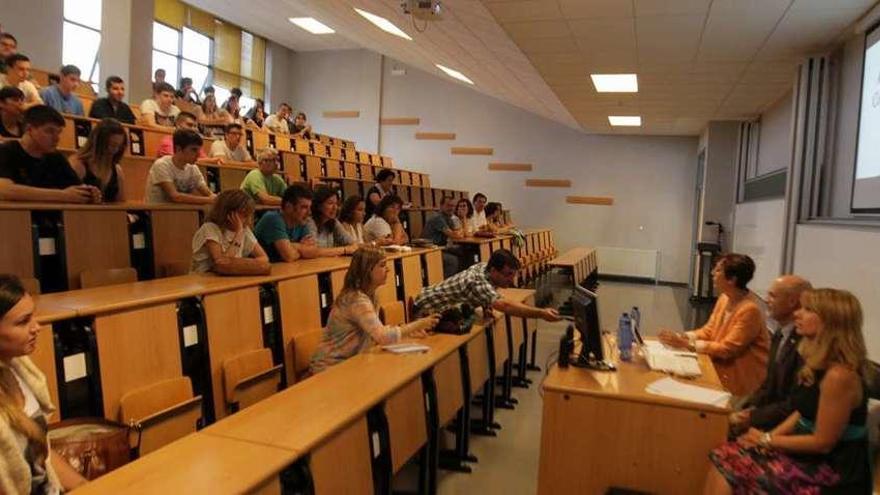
point(602, 430)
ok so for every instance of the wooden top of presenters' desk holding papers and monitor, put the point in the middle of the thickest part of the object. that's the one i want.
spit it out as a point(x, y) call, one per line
point(629, 382)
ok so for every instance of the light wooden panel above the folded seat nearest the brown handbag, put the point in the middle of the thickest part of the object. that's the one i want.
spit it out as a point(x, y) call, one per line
point(136, 348)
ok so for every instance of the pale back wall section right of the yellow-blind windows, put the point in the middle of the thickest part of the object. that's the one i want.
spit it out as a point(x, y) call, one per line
point(339, 80)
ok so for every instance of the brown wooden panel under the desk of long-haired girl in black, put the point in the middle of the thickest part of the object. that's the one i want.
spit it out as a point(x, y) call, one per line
point(95, 239)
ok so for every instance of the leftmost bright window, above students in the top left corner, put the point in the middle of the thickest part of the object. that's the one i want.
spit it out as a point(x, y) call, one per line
point(81, 33)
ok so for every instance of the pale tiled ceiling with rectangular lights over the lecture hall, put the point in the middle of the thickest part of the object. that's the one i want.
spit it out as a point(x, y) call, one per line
point(697, 60)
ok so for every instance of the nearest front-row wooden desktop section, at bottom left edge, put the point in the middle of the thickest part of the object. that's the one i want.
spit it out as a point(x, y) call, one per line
point(197, 463)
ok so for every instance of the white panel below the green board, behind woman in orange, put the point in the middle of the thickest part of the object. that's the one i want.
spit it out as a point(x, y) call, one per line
point(758, 233)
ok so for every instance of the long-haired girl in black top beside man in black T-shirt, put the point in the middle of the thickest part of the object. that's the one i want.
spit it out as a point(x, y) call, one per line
point(96, 163)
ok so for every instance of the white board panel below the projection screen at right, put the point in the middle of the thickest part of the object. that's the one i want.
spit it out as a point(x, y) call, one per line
point(844, 258)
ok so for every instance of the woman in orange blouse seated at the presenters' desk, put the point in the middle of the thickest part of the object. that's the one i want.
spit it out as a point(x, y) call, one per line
point(735, 336)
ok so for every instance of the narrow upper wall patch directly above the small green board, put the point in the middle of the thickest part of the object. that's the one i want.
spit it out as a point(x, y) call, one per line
point(774, 143)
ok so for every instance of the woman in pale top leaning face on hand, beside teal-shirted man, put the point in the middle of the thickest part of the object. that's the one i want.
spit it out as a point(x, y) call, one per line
point(225, 243)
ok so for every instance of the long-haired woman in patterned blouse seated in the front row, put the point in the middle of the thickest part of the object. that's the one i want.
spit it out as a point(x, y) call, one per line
point(353, 325)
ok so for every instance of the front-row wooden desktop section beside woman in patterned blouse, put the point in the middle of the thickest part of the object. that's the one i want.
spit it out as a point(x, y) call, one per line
point(302, 416)
